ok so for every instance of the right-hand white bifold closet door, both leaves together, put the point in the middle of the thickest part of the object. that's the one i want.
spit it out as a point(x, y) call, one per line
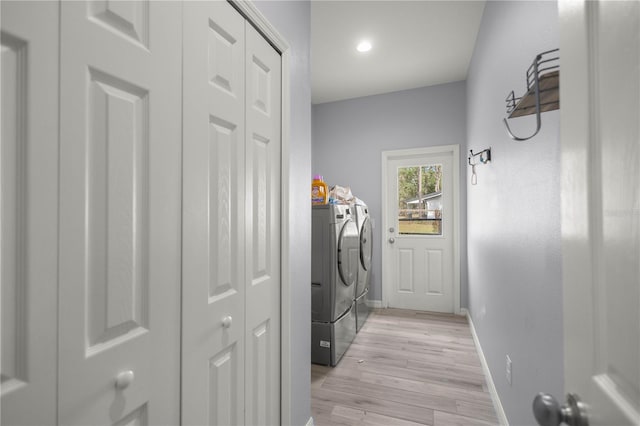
point(231, 247)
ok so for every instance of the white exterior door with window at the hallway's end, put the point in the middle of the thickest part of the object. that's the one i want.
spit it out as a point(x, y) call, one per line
point(420, 229)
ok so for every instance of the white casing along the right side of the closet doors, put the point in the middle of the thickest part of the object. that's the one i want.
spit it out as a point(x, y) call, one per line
point(269, 32)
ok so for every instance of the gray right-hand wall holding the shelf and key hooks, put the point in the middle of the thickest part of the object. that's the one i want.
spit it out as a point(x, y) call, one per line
point(515, 287)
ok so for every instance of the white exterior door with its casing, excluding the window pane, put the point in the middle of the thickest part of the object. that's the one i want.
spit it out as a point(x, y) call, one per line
point(421, 271)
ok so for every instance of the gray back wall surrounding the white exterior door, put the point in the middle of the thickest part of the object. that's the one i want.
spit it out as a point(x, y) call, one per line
point(349, 136)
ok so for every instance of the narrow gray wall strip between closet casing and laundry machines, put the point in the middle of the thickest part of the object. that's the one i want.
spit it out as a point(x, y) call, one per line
point(292, 20)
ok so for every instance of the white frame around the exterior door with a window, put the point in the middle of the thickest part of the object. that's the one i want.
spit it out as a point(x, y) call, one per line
point(415, 152)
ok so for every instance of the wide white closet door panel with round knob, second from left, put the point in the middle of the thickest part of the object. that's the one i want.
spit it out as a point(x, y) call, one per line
point(120, 212)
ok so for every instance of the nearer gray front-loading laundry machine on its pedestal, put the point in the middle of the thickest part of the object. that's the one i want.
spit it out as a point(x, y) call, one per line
point(335, 251)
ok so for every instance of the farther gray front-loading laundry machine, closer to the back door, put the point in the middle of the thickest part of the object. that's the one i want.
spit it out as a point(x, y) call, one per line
point(363, 282)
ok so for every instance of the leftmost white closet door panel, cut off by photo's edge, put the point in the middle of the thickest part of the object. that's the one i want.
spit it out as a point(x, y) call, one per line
point(28, 211)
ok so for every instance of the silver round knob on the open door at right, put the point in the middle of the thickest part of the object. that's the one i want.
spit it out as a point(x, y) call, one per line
point(548, 411)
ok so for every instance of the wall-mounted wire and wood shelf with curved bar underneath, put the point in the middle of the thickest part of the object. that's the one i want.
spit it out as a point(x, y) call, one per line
point(542, 95)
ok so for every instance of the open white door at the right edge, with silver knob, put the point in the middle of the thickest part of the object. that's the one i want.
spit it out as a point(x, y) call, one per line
point(600, 142)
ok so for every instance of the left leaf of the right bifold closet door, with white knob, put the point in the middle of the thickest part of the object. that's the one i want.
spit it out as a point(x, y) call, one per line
point(214, 212)
